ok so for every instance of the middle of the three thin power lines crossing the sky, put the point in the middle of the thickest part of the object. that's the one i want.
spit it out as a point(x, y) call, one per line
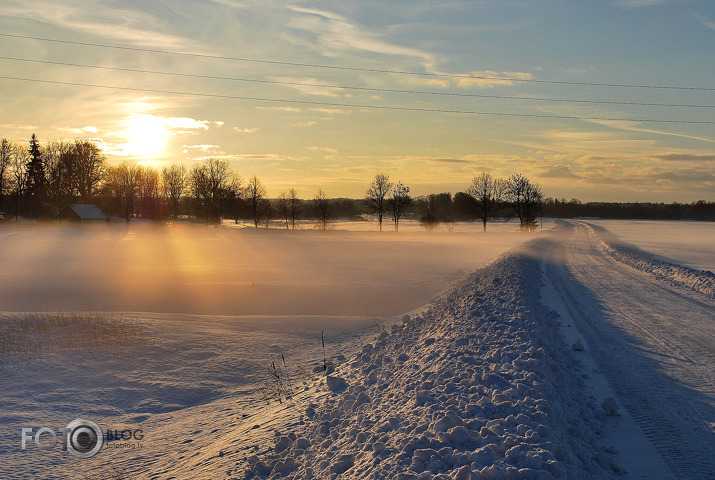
point(369, 89)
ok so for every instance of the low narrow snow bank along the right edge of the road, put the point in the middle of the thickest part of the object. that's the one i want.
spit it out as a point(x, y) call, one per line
point(701, 281)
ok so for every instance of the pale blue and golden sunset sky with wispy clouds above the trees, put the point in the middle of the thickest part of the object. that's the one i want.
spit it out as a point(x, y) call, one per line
point(324, 94)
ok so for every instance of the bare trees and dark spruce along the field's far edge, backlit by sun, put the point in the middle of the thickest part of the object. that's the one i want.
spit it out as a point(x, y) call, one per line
point(38, 181)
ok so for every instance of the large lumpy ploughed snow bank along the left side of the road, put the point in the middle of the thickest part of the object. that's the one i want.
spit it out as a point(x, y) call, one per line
point(478, 386)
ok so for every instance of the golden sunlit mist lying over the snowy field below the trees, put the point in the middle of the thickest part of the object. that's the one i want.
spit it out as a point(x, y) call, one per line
point(193, 269)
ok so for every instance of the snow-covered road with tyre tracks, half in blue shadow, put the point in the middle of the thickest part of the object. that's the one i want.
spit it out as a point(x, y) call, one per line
point(654, 343)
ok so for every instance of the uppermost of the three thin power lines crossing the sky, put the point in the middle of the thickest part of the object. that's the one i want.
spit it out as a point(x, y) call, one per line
point(355, 69)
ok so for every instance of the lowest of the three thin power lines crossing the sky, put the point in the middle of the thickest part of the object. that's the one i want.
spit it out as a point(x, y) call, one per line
point(349, 105)
